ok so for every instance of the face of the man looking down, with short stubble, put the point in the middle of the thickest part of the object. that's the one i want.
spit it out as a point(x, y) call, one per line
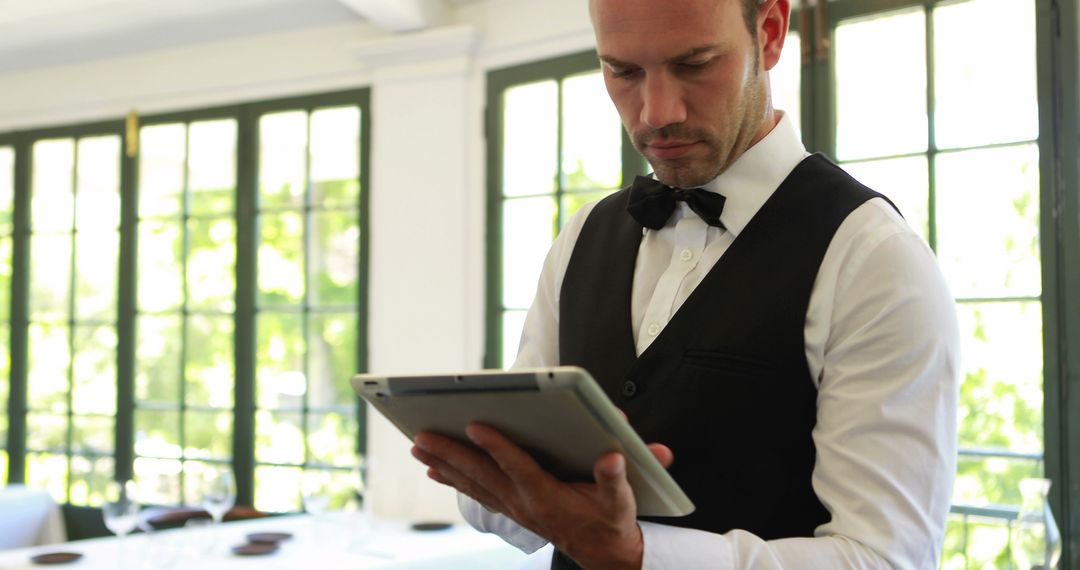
point(687, 79)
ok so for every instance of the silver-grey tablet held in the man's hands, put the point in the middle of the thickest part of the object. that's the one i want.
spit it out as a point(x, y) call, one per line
point(559, 415)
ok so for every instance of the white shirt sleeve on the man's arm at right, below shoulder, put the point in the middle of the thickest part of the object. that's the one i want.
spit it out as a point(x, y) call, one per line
point(883, 341)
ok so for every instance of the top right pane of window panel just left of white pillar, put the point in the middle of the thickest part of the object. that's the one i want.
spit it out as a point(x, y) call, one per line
point(335, 157)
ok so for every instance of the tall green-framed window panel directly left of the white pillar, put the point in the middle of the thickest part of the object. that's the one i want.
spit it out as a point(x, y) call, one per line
point(308, 303)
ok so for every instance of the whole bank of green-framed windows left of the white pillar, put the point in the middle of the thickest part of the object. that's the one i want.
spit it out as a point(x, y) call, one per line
point(194, 294)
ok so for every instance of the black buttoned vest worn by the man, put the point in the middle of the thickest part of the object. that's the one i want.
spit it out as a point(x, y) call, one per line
point(726, 385)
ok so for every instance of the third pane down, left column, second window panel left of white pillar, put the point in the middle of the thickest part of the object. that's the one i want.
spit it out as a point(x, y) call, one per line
point(158, 359)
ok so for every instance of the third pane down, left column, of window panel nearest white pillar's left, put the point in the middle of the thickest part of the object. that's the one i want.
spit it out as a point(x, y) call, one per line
point(281, 350)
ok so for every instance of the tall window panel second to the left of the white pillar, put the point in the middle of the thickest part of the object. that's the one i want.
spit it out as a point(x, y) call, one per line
point(186, 314)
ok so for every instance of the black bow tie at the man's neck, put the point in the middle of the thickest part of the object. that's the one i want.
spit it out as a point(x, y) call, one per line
point(652, 203)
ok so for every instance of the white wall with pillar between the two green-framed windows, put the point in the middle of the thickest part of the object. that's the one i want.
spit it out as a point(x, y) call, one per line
point(428, 173)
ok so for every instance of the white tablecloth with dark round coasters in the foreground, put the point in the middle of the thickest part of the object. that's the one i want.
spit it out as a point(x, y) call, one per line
point(333, 542)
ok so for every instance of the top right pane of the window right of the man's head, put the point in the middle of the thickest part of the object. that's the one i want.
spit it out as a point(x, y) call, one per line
point(985, 87)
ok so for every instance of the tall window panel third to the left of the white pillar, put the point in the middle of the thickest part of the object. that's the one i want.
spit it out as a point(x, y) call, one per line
point(75, 247)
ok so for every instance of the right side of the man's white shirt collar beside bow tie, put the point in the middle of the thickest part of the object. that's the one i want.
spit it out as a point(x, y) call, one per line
point(749, 183)
